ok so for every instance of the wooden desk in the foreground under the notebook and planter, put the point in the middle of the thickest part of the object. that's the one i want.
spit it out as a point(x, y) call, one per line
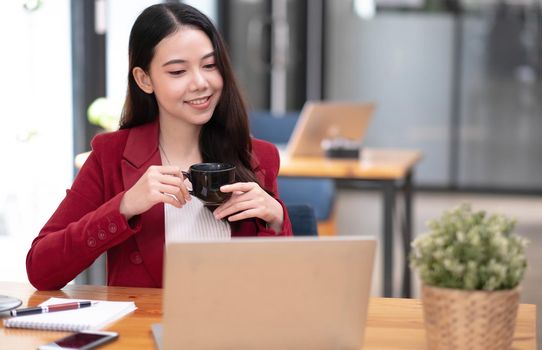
point(392, 323)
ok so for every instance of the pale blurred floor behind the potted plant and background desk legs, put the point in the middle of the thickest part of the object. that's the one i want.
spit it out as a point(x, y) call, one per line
point(359, 212)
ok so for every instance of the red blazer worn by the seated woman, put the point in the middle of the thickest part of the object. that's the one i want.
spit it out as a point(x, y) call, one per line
point(88, 221)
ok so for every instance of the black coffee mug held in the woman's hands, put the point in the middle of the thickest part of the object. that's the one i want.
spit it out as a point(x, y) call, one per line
point(207, 178)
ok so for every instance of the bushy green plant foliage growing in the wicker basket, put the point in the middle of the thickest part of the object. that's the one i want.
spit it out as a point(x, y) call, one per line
point(470, 250)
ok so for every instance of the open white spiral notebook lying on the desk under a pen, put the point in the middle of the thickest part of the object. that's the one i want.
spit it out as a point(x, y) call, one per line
point(94, 317)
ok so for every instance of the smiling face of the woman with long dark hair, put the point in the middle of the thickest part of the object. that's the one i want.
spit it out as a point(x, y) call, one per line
point(184, 76)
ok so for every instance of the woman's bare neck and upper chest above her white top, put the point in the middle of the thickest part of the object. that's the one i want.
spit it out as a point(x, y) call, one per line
point(179, 143)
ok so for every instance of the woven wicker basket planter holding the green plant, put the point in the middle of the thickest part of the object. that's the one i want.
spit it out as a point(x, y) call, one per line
point(469, 320)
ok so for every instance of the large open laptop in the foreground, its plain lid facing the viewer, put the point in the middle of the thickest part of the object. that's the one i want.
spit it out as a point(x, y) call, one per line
point(267, 293)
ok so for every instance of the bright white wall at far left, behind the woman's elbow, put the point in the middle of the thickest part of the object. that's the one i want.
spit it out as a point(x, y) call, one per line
point(36, 133)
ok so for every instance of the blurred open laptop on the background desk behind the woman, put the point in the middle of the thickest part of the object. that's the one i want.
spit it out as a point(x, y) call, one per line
point(328, 120)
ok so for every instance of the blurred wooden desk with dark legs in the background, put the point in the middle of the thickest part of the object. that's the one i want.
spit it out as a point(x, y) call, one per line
point(391, 169)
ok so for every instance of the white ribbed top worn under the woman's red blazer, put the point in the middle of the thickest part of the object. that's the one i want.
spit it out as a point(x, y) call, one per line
point(193, 222)
